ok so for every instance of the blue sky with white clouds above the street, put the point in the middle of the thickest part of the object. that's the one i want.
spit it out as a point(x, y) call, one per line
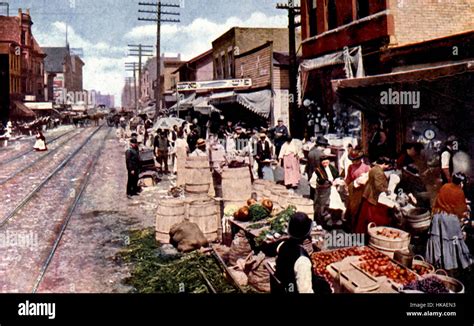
point(104, 28)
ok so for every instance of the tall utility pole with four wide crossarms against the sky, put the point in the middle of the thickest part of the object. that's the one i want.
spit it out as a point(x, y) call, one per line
point(158, 12)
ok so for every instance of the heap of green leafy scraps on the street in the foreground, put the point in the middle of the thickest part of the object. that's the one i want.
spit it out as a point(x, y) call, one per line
point(156, 272)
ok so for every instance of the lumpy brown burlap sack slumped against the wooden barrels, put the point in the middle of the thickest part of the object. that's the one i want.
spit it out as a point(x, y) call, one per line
point(187, 236)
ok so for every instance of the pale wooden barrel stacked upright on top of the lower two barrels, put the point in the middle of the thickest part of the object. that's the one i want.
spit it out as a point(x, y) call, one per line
point(198, 178)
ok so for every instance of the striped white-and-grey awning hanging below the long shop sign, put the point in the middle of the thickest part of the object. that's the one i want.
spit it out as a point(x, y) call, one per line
point(258, 102)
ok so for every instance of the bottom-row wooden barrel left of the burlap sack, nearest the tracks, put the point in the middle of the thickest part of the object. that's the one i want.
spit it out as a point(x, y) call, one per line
point(169, 213)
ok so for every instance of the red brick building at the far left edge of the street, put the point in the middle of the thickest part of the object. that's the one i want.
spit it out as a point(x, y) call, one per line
point(21, 66)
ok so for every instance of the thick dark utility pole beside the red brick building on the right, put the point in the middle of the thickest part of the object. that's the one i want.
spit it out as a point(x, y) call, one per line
point(295, 116)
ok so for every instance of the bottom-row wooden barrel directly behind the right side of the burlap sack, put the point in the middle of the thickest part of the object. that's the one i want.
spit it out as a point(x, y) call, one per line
point(206, 215)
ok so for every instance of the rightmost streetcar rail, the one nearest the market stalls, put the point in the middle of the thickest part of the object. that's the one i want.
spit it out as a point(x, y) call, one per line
point(89, 171)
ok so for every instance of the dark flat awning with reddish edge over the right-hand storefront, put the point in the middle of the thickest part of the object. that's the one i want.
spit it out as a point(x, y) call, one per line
point(426, 91)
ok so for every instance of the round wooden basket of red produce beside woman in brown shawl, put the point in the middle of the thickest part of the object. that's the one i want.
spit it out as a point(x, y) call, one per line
point(386, 245)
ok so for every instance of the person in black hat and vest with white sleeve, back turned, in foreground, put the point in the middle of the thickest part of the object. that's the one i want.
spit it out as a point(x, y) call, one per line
point(294, 268)
